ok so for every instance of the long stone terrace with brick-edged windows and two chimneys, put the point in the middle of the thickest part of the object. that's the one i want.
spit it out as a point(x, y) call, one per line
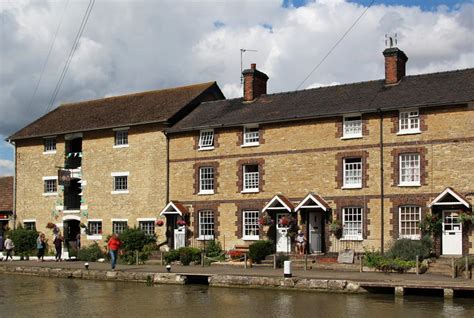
point(373, 157)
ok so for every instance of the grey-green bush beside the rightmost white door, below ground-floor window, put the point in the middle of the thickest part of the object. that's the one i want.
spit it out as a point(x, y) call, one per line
point(407, 250)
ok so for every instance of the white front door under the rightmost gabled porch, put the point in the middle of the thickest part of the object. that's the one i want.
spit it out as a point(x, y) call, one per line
point(452, 233)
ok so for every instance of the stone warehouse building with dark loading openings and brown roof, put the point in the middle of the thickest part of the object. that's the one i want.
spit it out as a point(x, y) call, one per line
point(102, 163)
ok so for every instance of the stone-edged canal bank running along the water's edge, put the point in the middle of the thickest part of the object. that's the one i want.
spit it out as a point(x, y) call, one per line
point(315, 280)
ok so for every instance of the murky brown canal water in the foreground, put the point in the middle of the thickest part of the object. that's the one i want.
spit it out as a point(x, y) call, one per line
point(27, 296)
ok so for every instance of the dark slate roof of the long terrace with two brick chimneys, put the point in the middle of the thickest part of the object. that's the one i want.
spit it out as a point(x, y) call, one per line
point(413, 91)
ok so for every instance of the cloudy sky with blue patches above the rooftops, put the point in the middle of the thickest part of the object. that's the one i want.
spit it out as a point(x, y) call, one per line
point(132, 46)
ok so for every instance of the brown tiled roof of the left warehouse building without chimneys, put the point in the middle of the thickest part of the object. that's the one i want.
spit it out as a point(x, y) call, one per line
point(145, 107)
